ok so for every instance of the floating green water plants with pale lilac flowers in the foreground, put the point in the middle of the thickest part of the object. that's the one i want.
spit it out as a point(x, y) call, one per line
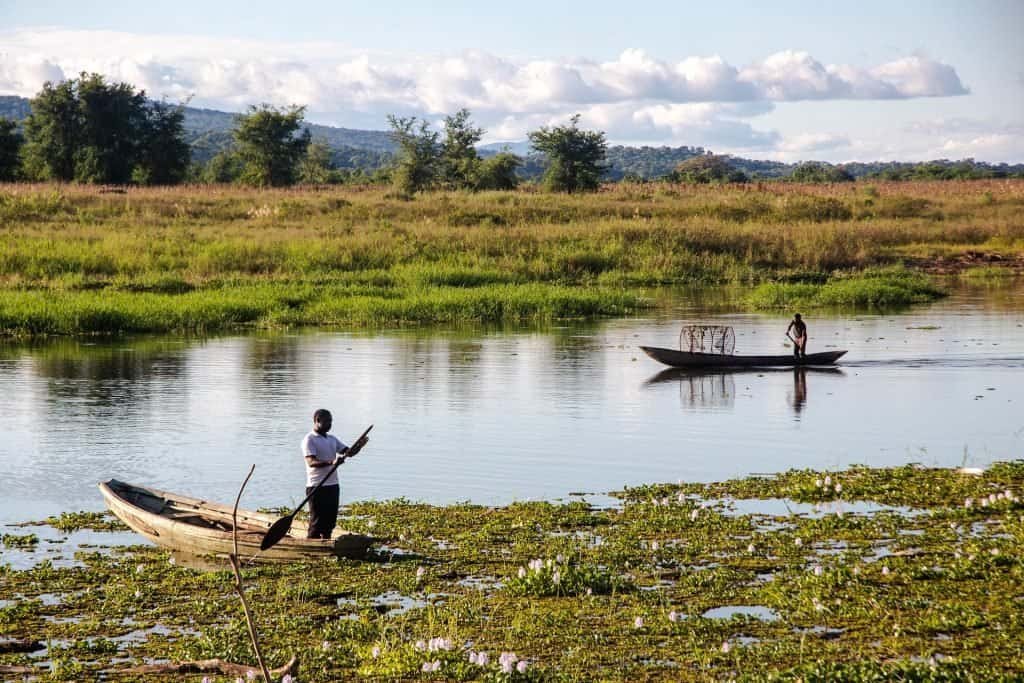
point(863, 575)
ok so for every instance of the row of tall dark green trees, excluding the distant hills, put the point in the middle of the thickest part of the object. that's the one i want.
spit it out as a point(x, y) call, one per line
point(89, 131)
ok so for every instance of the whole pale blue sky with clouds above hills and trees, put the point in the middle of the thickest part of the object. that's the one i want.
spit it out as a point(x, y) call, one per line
point(836, 81)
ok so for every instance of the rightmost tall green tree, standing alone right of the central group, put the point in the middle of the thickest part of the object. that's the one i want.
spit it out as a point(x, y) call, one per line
point(575, 157)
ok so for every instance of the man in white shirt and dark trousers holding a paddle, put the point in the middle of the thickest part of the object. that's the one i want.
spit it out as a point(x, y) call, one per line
point(321, 451)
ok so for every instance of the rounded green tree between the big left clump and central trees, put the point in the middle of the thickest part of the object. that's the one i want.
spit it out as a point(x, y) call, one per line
point(271, 143)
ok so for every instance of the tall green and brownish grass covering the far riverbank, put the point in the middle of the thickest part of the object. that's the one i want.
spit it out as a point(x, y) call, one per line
point(81, 260)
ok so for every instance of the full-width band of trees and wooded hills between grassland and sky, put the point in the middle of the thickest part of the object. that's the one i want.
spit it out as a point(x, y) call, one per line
point(89, 131)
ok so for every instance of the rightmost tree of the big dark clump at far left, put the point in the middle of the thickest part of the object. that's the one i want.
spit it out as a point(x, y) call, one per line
point(165, 155)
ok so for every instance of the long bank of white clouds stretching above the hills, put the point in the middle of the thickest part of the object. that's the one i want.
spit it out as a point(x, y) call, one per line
point(700, 101)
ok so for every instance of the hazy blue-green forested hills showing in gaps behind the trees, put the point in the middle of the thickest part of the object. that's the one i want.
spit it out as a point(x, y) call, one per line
point(209, 132)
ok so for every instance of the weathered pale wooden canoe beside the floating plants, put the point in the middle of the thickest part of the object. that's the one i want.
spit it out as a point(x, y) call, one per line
point(197, 527)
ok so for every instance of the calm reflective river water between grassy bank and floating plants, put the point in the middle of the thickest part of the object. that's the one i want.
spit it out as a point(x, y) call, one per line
point(493, 416)
